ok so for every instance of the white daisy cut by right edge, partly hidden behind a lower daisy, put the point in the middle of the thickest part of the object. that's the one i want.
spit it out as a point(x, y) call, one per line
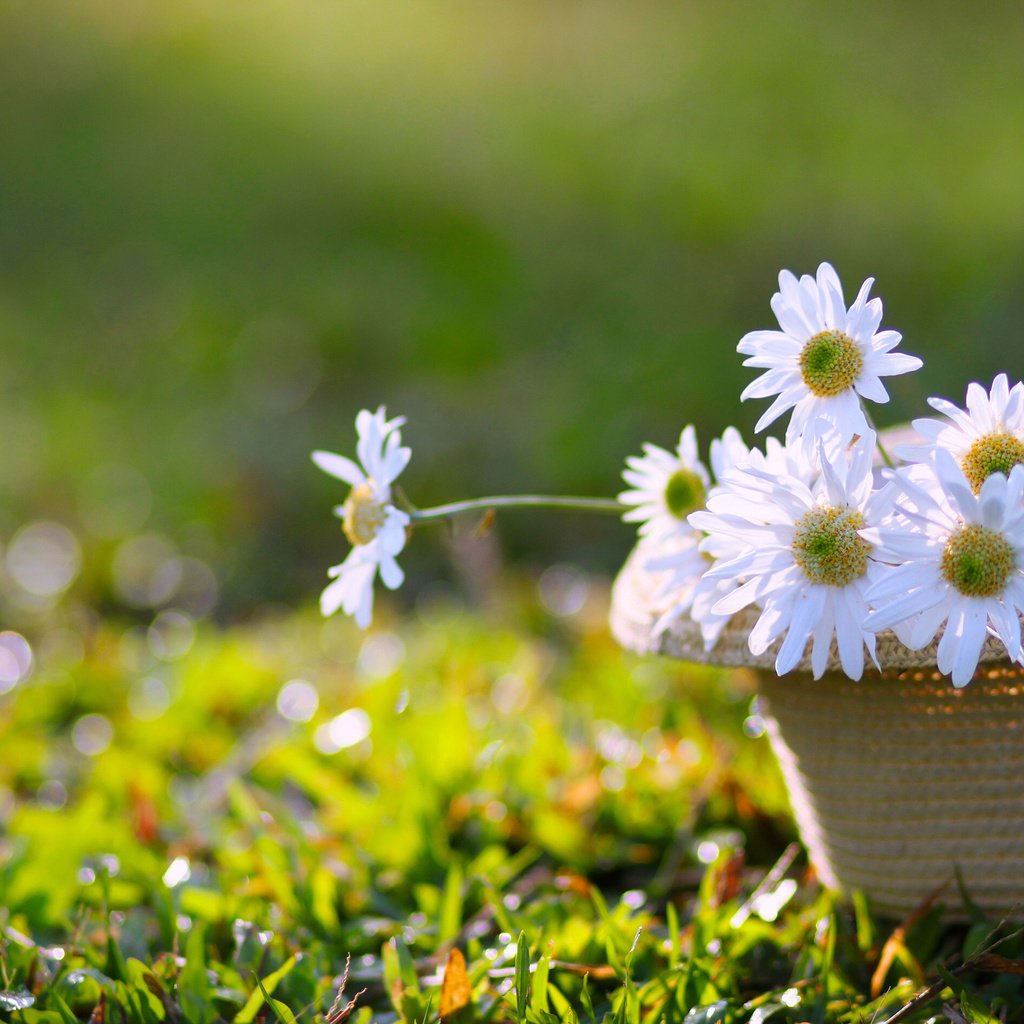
point(987, 438)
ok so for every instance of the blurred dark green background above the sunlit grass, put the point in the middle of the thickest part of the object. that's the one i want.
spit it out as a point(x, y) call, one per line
point(537, 230)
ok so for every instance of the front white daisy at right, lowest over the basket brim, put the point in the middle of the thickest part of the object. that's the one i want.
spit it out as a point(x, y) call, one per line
point(959, 561)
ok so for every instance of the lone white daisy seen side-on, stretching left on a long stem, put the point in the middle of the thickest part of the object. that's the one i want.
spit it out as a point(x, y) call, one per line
point(373, 525)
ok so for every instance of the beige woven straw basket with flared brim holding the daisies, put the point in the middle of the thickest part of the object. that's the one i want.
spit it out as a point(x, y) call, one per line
point(897, 781)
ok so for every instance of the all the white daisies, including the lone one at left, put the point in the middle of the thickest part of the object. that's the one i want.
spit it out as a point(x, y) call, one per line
point(829, 543)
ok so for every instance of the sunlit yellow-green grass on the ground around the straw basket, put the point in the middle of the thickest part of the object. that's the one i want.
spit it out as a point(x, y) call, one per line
point(588, 829)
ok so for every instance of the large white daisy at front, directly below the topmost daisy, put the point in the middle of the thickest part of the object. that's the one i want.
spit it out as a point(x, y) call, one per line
point(801, 558)
